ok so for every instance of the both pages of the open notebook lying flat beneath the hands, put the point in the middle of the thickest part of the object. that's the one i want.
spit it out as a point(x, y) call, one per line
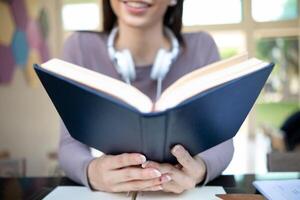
point(77, 192)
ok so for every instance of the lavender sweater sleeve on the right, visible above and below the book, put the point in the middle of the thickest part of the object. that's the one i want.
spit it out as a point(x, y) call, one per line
point(218, 157)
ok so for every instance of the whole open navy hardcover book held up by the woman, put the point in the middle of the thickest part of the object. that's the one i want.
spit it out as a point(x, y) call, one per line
point(200, 110)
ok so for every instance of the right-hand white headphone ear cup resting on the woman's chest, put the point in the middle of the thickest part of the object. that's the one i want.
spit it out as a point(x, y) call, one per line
point(161, 65)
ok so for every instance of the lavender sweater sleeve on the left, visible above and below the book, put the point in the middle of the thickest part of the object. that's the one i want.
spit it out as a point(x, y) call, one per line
point(73, 156)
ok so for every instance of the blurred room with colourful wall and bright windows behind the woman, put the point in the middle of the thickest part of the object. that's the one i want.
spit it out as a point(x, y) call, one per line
point(33, 31)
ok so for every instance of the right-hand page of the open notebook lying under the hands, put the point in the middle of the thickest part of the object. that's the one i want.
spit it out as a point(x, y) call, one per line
point(206, 192)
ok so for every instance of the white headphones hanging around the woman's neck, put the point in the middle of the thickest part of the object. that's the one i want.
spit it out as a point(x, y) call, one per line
point(124, 64)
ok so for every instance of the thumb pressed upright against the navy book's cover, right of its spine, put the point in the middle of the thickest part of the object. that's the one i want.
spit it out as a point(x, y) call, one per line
point(184, 158)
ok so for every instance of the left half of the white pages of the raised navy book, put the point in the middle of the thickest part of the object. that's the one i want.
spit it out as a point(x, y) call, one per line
point(113, 87)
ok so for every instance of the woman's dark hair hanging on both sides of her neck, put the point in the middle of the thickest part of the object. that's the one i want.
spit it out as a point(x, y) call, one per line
point(172, 18)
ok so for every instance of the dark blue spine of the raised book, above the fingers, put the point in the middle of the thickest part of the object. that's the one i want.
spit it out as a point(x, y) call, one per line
point(153, 130)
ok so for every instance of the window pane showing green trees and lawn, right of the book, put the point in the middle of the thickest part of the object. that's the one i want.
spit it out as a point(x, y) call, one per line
point(281, 93)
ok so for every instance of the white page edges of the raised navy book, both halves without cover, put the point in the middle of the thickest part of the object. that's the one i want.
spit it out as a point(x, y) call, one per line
point(189, 85)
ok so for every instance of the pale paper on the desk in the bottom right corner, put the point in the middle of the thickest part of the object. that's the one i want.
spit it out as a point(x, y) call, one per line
point(279, 189)
